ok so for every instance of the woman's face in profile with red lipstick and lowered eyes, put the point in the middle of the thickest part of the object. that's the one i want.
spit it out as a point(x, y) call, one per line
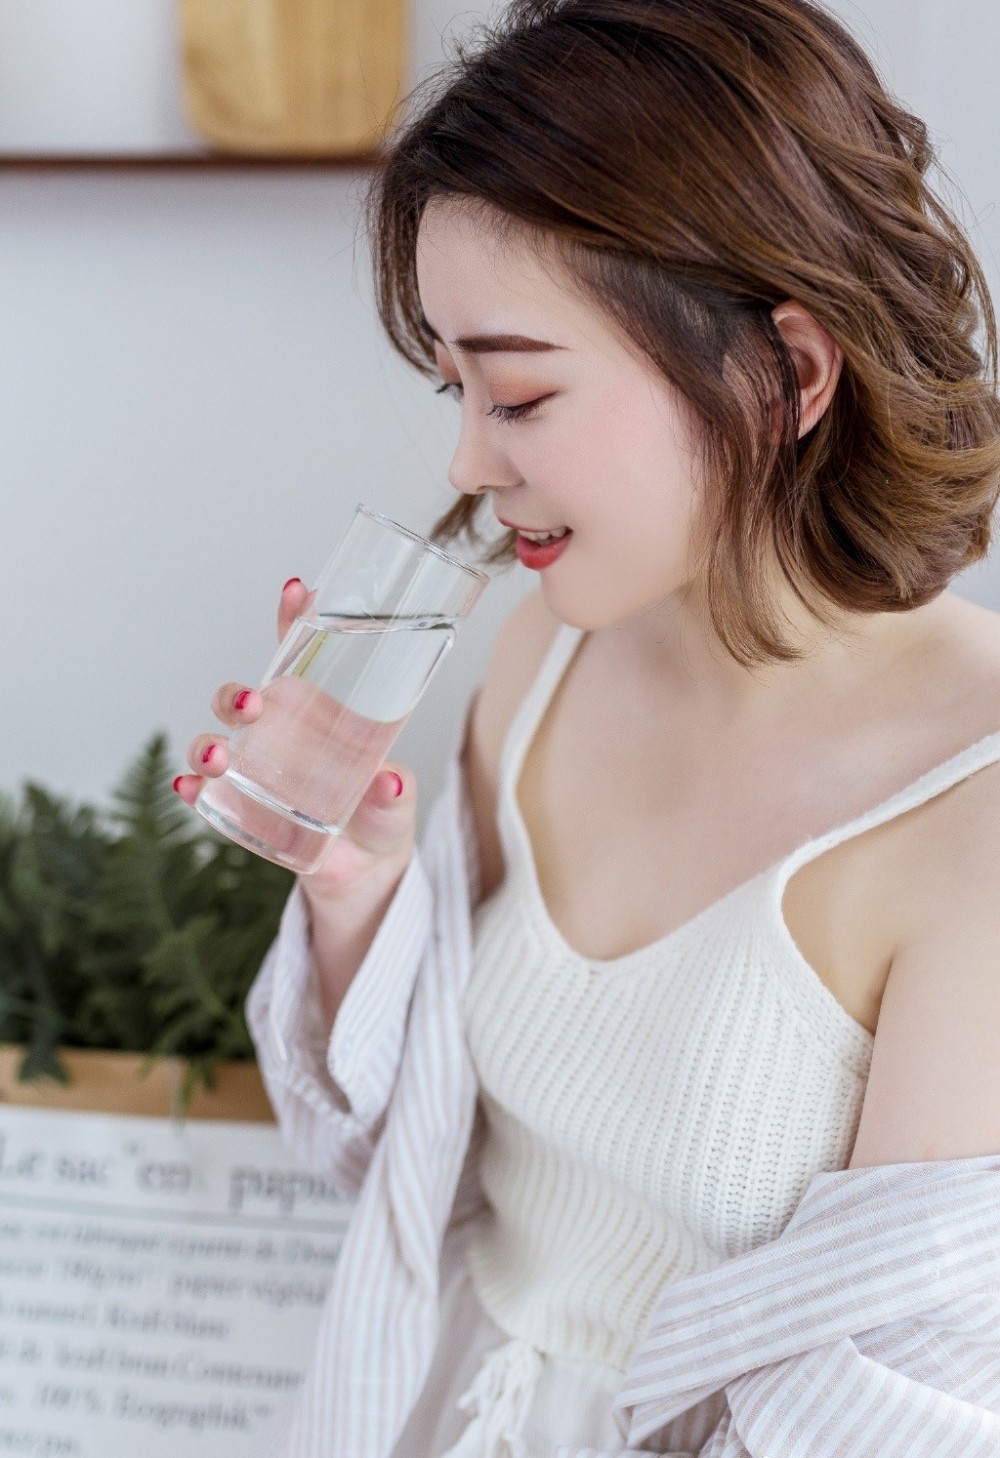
point(607, 445)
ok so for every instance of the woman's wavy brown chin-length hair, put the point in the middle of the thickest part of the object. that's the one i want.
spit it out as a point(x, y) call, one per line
point(699, 163)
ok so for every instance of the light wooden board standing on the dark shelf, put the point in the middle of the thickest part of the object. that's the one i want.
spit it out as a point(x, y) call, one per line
point(316, 78)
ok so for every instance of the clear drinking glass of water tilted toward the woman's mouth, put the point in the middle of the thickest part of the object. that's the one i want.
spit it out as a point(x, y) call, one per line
point(339, 690)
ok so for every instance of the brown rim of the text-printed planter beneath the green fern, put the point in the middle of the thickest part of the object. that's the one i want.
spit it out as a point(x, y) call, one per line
point(110, 1084)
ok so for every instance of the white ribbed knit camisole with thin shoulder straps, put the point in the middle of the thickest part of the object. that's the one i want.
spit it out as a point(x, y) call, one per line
point(657, 1115)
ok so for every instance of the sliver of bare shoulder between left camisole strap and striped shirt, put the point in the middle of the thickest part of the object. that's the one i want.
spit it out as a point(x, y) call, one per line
point(517, 657)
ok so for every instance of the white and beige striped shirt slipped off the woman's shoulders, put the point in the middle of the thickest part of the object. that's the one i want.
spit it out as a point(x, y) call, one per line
point(870, 1326)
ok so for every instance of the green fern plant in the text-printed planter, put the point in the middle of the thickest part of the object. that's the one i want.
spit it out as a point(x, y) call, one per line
point(136, 929)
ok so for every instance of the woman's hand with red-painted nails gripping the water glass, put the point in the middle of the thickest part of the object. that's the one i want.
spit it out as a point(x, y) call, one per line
point(378, 841)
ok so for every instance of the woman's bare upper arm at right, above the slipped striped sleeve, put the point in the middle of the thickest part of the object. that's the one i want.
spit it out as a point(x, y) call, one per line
point(934, 1088)
